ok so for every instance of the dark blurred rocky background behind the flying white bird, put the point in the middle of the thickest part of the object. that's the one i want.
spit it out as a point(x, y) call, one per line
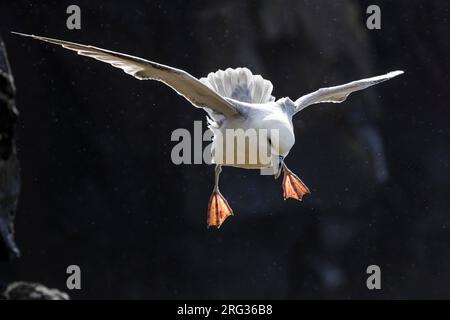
point(99, 189)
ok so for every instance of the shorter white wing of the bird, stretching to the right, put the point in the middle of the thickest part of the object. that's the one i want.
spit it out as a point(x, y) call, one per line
point(338, 94)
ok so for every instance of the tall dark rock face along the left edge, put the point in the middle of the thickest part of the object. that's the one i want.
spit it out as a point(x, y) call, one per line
point(9, 165)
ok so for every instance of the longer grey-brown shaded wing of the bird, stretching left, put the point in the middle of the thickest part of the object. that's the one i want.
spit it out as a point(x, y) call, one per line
point(182, 82)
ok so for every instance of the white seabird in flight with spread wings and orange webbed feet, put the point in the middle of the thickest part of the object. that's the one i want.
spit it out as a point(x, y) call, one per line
point(233, 99)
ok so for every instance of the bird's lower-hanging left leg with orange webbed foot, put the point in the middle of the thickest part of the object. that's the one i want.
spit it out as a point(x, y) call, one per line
point(218, 207)
